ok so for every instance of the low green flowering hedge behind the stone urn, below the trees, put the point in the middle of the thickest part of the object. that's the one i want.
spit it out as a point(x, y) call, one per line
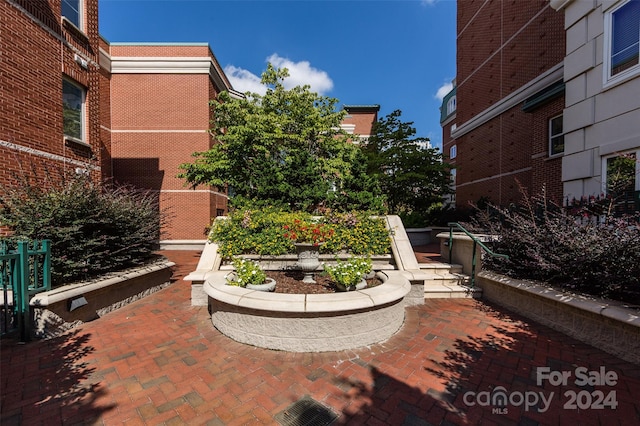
point(263, 232)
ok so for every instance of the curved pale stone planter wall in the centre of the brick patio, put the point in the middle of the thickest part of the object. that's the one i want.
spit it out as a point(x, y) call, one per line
point(308, 322)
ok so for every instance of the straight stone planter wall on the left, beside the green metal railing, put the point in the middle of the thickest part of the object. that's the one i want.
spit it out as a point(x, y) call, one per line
point(51, 309)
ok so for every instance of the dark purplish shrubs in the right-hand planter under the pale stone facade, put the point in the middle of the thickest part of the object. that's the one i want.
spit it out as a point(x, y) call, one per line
point(544, 242)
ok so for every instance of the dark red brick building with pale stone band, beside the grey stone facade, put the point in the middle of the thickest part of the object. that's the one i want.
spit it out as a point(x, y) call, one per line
point(502, 123)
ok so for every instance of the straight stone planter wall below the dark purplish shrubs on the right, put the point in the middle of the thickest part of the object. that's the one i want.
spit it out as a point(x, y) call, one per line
point(608, 325)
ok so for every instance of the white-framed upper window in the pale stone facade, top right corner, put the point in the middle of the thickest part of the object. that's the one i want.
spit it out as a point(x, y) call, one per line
point(622, 41)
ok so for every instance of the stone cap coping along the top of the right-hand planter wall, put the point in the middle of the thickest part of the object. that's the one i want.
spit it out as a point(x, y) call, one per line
point(617, 311)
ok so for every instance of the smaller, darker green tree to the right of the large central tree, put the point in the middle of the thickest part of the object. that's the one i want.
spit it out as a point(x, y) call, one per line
point(412, 175)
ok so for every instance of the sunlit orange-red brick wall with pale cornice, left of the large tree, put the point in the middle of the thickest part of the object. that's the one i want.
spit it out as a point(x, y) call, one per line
point(158, 121)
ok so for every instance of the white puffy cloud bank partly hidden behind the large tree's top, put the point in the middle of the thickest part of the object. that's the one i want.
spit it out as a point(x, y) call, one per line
point(300, 73)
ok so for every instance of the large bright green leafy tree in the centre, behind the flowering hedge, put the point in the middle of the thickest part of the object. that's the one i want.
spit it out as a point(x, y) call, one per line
point(285, 147)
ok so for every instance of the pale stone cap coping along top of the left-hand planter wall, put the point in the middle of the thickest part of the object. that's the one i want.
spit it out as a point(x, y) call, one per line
point(70, 291)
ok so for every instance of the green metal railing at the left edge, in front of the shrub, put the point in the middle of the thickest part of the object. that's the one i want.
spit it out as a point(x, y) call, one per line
point(24, 271)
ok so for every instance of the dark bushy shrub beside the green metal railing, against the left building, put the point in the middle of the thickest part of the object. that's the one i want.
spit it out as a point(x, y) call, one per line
point(93, 229)
